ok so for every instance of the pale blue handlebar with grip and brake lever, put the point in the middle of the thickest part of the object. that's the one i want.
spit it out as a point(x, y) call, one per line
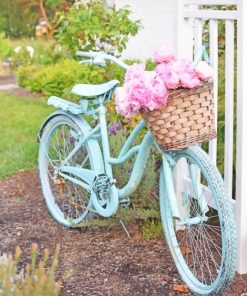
point(99, 58)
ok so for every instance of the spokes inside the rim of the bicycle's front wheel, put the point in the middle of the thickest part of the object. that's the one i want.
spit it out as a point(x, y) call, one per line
point(199, 235)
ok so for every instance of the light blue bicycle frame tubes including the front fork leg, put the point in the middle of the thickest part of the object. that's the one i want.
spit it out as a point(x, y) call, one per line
point(142, 150)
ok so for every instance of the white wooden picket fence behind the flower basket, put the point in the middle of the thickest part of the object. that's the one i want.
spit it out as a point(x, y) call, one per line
point(190, 26)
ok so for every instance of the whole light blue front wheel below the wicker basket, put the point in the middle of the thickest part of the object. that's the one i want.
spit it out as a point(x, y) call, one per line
point(203, 242)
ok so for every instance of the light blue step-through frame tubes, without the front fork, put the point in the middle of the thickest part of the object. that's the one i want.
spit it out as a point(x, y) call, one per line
point(142, 150)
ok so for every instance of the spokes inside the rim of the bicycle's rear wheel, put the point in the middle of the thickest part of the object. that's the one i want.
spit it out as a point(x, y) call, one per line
point(71, 199)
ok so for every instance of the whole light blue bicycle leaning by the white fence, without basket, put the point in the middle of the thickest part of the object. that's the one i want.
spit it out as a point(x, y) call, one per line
point(77, 179)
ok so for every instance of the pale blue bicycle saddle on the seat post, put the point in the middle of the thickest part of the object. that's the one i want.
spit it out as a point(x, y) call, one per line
point(94, 90)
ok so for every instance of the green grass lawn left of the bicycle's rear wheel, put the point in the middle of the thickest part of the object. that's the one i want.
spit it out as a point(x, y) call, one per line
point(20, 120)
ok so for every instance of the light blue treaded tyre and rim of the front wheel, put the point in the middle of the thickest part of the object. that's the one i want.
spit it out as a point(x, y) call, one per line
point(176, 239)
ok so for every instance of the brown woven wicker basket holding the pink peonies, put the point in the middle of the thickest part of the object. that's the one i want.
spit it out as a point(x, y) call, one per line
point(186, 119)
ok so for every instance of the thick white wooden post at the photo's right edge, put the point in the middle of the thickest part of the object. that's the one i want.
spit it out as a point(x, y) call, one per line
point(241, 182)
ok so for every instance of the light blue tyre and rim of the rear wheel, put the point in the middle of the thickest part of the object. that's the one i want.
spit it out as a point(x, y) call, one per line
point(93, 163)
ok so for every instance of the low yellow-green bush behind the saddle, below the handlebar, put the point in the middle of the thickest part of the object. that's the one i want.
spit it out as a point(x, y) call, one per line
point(58, 79)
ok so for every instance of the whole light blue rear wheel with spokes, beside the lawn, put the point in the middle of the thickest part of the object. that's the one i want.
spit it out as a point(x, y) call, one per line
point(67, 202)
